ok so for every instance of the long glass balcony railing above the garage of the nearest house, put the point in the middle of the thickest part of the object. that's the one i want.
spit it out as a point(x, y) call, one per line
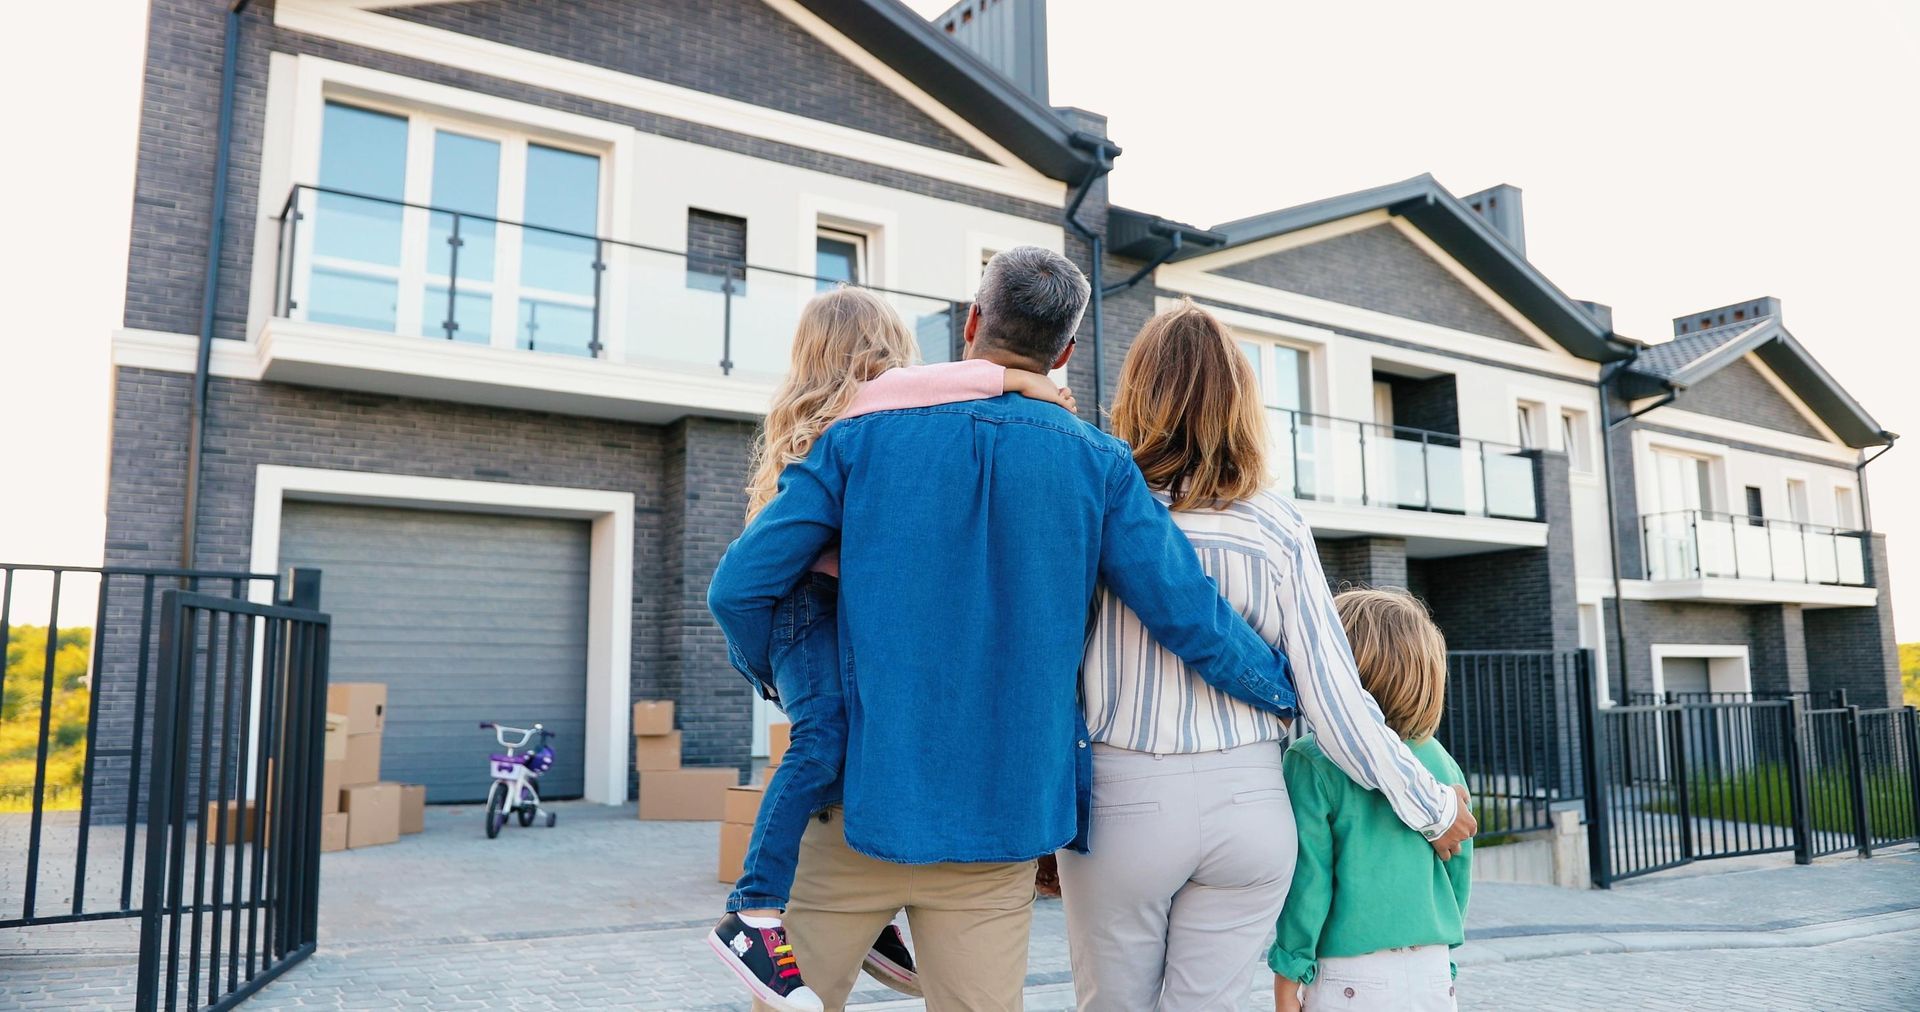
point(410, 270)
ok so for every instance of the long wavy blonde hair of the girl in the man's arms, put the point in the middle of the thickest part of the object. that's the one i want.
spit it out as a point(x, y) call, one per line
point(846, 337)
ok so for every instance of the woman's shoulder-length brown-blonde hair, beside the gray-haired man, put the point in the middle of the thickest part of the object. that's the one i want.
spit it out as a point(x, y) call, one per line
point(1189, 404)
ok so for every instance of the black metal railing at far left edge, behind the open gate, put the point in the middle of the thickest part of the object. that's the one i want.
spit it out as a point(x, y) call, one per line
point(80, 702)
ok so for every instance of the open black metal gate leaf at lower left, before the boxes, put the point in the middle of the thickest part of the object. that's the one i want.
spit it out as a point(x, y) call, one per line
point(233, 840)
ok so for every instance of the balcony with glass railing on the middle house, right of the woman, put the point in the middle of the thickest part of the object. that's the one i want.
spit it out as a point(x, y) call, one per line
point(1447, 494)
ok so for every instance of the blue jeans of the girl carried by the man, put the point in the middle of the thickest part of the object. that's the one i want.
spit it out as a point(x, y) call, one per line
point(807, 673)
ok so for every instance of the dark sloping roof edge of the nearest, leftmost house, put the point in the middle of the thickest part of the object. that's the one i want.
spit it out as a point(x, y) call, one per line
point(967, 85)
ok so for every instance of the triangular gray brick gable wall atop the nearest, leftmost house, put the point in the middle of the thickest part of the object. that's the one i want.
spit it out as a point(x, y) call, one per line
point(736, 49)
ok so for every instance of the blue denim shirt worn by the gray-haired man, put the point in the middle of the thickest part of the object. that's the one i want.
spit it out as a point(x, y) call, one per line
point(972, 539)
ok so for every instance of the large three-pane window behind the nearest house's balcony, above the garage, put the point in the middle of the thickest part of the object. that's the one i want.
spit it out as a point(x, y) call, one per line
point(454, 272)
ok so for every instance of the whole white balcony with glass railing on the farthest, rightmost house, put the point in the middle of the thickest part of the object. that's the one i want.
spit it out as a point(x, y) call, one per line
point(1706, 556)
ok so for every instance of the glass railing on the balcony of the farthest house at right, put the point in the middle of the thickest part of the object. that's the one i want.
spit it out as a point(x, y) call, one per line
point(1698, 544)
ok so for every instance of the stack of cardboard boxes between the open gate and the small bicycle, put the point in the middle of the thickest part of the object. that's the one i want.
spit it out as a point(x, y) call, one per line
point(358, 809)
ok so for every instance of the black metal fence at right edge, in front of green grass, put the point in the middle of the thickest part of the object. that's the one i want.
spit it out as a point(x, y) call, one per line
point(1696, 781)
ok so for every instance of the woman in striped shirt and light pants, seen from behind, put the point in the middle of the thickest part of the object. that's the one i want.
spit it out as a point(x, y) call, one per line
point(1193, 836)
